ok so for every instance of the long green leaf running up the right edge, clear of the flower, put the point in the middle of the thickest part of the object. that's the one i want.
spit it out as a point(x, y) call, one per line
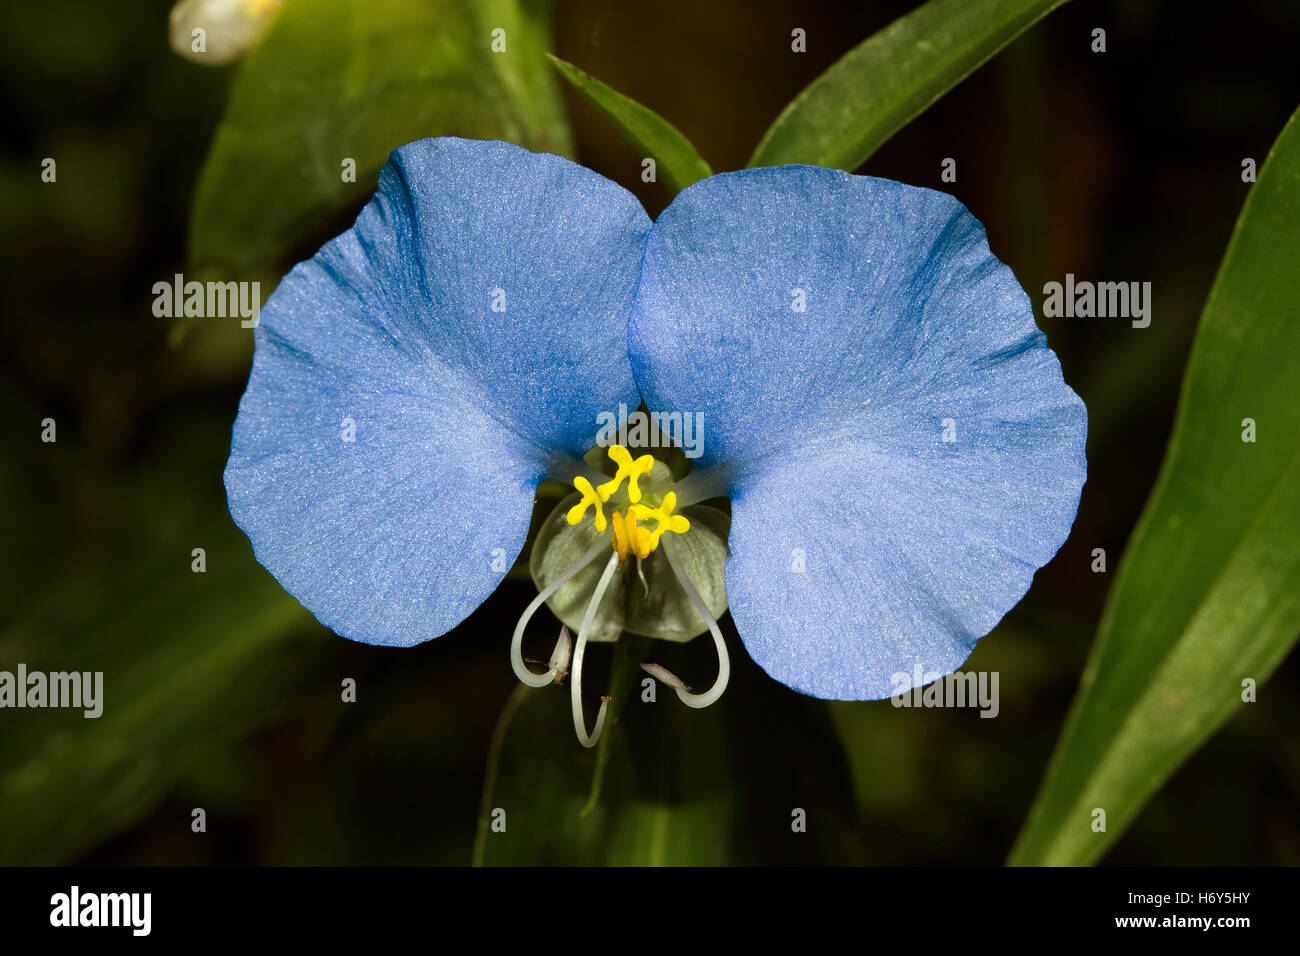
point(1208, 594)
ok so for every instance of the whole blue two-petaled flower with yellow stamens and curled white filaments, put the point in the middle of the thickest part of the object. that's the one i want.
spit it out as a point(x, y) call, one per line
point(895, 439)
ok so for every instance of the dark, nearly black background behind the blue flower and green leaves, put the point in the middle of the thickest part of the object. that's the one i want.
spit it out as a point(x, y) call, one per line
point(1123, 167)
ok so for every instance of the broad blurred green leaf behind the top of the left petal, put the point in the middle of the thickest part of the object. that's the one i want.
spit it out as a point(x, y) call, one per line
point(339, 80)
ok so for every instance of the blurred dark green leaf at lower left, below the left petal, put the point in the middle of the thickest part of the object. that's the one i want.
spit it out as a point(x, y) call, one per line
point(187, 668)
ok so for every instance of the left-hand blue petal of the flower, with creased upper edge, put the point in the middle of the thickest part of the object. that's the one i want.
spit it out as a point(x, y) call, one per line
point(458, 410)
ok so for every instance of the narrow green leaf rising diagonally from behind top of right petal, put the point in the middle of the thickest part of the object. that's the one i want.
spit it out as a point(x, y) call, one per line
point(889, 80)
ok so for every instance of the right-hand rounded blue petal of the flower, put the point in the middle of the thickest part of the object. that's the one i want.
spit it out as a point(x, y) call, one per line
point(826, 427)
